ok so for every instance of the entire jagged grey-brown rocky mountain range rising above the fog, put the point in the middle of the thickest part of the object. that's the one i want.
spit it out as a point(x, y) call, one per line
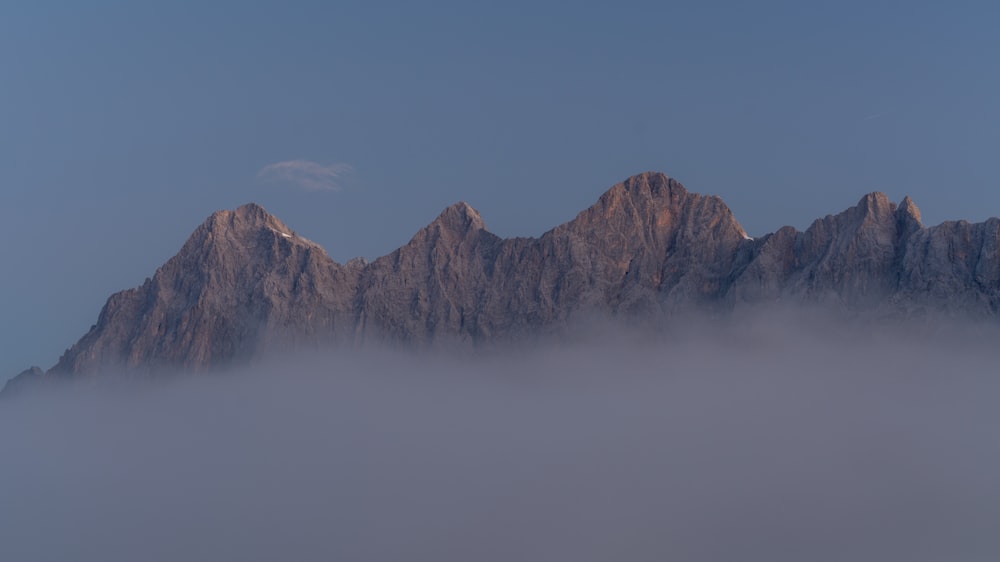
point(244, 283)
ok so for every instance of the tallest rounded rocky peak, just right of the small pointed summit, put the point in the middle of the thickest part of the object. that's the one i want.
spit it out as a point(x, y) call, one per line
point(646, 246)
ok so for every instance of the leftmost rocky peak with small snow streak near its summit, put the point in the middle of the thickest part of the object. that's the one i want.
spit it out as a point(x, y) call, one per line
point(242, 282)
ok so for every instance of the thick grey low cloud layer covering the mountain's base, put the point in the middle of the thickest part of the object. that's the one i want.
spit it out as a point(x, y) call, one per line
point(774, 445)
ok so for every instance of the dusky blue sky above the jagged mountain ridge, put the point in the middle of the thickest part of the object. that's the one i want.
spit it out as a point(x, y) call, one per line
point(124, 124)
